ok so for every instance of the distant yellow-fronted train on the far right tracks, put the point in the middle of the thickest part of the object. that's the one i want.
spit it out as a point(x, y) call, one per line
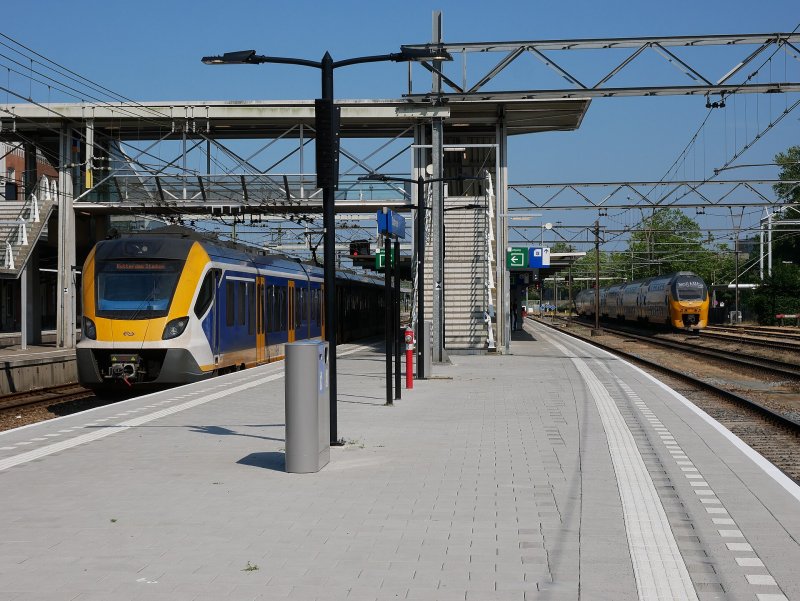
point(678, 300)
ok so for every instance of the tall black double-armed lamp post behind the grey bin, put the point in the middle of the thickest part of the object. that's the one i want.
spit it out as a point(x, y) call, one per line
point(326, 118)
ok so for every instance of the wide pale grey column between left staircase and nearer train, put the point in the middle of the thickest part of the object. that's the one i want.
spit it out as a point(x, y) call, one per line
point(65, 310)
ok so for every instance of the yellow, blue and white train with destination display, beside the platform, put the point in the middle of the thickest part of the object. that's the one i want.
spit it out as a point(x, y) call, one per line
point(167, 310)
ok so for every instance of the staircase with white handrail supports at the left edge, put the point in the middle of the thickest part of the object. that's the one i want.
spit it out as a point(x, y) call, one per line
point(22, 223)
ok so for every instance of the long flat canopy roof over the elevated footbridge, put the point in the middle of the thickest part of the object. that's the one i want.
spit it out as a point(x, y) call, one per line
point(267, 119)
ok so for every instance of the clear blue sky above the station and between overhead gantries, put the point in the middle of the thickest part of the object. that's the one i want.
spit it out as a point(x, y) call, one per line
point(151, 50)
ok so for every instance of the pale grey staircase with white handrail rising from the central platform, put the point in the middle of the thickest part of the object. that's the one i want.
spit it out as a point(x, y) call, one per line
point(468, 274)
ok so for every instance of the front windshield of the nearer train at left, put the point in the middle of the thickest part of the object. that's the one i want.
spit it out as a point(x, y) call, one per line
point(135, 289)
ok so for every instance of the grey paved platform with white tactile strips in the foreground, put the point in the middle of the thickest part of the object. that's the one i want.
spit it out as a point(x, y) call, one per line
point(555, 472)
